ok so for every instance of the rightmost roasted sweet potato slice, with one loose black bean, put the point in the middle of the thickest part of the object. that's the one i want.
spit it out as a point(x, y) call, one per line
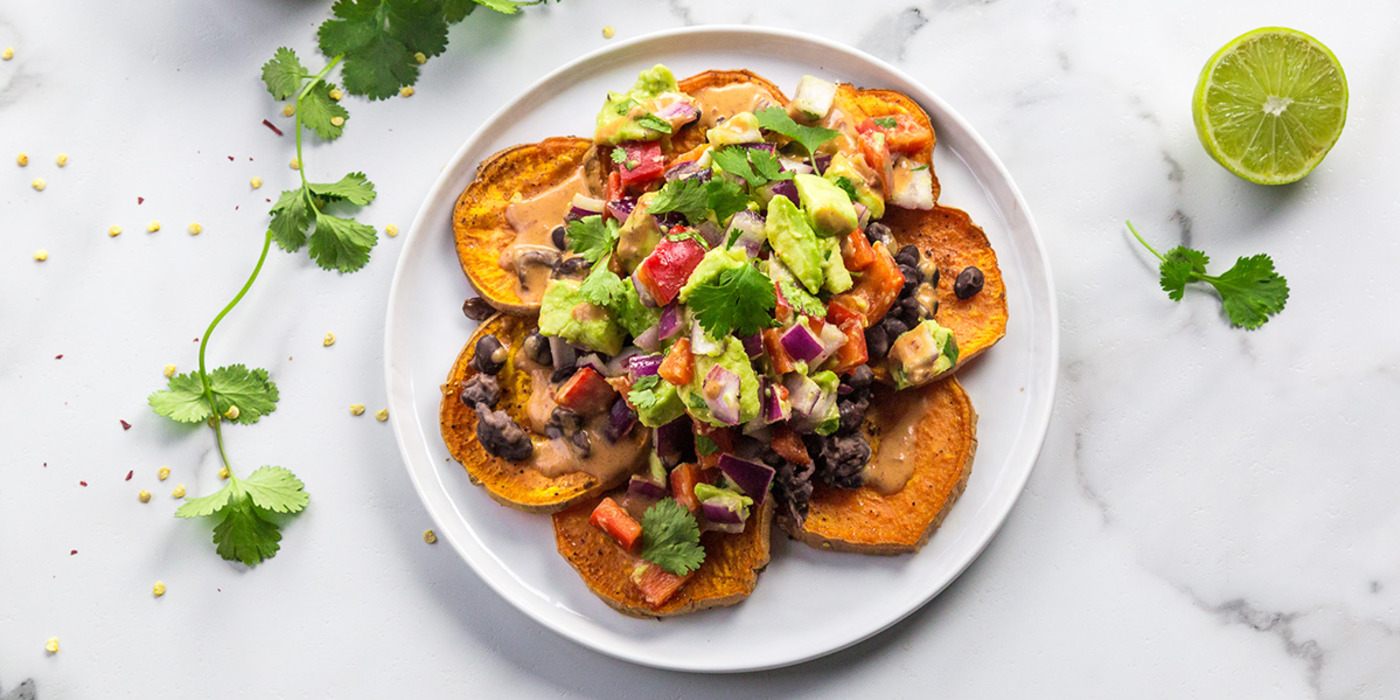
point(950, 239)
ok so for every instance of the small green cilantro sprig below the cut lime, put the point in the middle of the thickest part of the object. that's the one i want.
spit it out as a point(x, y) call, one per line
point(1251, 290)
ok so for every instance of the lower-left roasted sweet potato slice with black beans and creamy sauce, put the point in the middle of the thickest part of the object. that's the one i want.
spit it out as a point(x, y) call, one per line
point(512, 484)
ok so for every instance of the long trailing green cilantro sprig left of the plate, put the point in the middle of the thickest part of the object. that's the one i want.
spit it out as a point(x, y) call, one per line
point(379, 47)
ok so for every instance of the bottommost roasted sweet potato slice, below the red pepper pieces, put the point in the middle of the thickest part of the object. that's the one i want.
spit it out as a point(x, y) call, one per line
point(729, 575)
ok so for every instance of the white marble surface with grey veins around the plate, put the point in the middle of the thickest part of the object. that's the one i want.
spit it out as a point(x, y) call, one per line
point(1213, 514)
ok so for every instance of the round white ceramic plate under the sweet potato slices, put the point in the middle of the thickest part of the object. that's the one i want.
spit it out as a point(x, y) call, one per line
point(808, 603)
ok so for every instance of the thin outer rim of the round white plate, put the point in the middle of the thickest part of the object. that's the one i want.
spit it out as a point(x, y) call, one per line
point(1041, 412)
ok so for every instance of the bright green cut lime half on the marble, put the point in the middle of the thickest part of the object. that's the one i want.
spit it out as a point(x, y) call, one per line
point(1270, 106)
